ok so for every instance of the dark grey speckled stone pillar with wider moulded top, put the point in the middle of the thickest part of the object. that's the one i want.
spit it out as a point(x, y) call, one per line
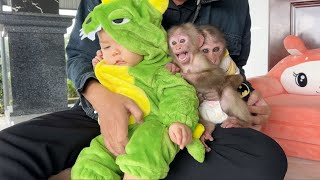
point(37, 61)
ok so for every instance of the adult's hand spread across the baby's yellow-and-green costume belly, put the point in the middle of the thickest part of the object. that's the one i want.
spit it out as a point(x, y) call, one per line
point(114, 111)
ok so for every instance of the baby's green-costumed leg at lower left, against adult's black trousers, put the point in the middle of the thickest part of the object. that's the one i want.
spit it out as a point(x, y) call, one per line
point(96, 162)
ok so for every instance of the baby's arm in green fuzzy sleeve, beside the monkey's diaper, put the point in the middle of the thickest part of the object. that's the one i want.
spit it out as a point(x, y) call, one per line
point(178, 101)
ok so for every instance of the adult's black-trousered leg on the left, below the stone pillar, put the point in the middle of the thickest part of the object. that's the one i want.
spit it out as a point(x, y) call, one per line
point(46, 145)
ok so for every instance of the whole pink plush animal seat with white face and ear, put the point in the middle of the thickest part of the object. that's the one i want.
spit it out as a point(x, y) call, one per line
point(292, 90)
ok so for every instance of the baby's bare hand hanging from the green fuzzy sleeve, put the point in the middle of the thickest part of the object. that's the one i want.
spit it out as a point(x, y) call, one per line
point(180, 134)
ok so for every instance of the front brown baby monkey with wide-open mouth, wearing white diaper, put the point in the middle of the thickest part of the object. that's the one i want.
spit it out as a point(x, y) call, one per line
point(208, 78)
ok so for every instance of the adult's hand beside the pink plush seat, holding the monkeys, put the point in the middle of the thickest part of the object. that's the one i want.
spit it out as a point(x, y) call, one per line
point(258, 106)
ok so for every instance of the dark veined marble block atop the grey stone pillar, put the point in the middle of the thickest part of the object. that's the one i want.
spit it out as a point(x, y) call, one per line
point(36, 6)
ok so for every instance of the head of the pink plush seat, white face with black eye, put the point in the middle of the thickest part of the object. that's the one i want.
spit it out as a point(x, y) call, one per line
point(299, 73)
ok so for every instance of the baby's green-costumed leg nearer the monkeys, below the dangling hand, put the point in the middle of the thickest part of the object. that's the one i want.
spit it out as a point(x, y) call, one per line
point(149, 152)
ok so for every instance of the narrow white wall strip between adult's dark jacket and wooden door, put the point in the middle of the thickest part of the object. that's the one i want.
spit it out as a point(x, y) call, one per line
point(258, 60)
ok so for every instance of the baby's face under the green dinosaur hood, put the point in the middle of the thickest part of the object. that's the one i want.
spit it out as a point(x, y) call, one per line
point(115, 54)
